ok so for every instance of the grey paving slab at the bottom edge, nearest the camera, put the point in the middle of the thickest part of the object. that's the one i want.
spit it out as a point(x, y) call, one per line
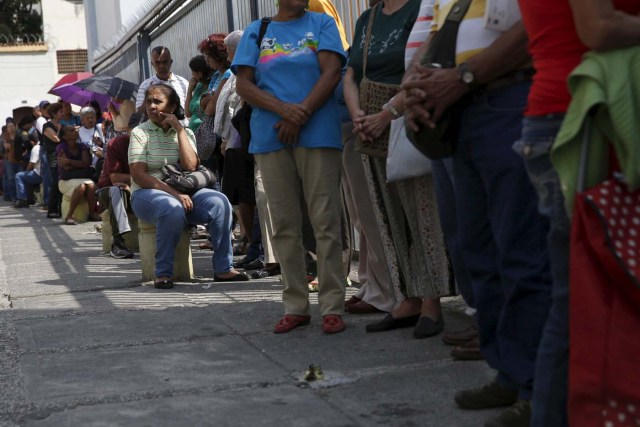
point(287, 404)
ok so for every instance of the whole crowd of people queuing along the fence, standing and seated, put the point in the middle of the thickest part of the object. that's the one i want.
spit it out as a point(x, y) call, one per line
point(283, 111)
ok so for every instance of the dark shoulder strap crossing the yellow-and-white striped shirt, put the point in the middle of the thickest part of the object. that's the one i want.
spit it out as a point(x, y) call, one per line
point(443, 46)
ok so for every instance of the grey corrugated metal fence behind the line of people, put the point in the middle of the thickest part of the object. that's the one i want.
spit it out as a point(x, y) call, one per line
point(181, 26)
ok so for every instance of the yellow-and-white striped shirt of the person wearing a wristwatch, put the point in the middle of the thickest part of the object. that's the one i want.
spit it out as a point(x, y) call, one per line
point(473, 37)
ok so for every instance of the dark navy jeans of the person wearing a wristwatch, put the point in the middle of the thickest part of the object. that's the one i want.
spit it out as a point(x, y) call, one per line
point(502, 235)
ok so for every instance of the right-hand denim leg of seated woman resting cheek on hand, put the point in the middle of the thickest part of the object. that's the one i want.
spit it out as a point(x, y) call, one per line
point(213, 208)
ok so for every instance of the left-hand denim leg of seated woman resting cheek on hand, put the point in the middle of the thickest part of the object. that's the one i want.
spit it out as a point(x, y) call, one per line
point(168, 215)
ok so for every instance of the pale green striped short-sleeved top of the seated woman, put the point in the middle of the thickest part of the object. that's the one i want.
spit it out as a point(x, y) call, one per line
point(151, 145)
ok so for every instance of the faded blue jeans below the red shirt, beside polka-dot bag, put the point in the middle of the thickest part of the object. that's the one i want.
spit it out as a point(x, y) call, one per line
point(550, 386)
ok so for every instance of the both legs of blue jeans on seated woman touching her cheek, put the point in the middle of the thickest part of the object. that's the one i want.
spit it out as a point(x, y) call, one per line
point(167, 213)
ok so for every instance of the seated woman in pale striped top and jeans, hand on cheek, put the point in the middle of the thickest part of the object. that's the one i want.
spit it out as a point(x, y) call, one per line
point(159, 141)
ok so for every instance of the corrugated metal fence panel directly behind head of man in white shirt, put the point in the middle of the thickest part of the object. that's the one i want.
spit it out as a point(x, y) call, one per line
point(183, 36)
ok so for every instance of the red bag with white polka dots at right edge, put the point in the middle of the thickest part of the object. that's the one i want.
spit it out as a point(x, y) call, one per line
point(604, 370)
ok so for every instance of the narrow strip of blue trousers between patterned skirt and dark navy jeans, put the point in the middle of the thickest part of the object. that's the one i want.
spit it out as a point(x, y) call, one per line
point(445, 193)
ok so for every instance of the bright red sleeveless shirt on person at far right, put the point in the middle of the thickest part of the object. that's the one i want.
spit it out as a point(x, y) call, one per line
point(556, 51)
